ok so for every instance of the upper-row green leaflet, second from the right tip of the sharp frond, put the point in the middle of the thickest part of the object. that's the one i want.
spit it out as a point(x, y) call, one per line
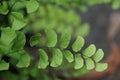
point(90, 51)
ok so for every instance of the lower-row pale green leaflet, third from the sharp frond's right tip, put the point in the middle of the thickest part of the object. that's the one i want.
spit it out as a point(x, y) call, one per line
point(78, 61)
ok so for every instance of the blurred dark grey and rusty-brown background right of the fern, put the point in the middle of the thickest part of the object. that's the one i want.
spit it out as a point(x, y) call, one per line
point(105, 34)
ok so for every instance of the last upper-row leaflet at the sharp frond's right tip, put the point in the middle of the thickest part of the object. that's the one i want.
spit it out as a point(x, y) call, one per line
point(98, 55)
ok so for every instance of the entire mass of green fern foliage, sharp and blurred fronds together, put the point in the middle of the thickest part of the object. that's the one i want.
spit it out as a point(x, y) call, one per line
point(54, 31)
